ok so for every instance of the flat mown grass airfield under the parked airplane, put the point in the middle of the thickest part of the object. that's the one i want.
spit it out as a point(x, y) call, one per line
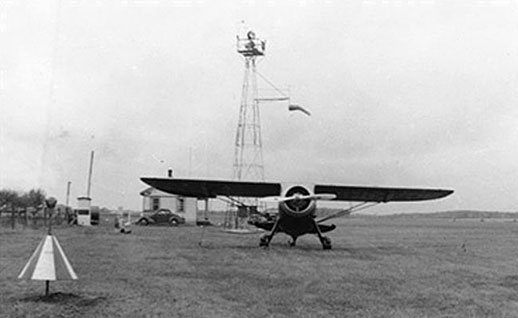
point(379, 267)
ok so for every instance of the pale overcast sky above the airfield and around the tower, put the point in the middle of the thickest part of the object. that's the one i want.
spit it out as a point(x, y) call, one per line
point(402, 93)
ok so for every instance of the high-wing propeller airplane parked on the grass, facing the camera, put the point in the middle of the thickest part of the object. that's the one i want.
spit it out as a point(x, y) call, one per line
point(296, 202)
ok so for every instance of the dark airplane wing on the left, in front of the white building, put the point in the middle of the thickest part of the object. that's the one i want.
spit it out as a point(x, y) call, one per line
point(212, 188)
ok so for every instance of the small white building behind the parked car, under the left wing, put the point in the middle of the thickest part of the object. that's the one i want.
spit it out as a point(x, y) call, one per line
point(186, 207)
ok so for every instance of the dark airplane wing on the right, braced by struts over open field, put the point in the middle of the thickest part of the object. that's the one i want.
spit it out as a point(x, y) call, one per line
point(380, 194)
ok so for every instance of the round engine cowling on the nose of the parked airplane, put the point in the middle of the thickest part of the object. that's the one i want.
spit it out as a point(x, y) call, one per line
point(297, 207)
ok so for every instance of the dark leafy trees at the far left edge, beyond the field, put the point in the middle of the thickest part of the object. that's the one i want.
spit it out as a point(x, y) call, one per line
point(13, 200)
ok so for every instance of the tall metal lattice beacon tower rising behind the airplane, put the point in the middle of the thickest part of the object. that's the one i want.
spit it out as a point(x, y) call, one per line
point(248, 154)
